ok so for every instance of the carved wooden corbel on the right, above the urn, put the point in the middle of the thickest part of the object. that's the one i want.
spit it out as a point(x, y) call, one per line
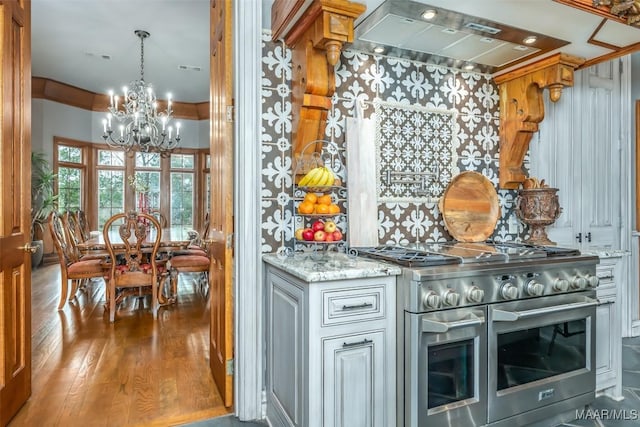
point(522, 108)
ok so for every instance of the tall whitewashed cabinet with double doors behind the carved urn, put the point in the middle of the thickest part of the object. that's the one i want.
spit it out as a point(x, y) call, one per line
point(577, 150)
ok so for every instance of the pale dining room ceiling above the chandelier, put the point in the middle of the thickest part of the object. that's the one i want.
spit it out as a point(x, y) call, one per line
point(71, 38)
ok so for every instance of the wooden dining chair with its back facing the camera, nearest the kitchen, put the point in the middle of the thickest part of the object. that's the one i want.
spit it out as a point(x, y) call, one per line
point(136, 271)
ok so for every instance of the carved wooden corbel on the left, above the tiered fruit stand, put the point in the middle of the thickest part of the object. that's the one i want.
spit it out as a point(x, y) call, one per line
point(316, 35)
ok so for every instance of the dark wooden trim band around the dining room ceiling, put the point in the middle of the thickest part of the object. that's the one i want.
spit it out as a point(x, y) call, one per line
point(51, 90)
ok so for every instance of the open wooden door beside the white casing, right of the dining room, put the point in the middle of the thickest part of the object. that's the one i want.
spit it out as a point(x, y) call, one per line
point(221, 234)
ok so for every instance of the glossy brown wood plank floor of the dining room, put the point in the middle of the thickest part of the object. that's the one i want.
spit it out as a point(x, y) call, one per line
point(134, 372)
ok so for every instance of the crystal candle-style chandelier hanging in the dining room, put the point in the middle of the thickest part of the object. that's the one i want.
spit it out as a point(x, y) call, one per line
point(141, 125)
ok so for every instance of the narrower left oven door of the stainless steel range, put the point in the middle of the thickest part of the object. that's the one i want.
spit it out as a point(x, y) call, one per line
point(445, 375)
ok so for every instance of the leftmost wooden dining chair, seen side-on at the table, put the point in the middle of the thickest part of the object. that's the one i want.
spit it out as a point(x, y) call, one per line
point(71, 268)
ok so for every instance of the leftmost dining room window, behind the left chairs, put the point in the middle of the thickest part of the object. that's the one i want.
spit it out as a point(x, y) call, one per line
point(70, 177)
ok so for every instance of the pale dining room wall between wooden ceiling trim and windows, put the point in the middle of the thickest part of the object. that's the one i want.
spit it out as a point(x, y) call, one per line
point(50, 119)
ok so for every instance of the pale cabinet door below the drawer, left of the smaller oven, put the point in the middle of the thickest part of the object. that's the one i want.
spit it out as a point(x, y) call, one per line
point(353, 377)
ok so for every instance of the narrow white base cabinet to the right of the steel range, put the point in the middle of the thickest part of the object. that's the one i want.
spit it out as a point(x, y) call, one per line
point(608, 330)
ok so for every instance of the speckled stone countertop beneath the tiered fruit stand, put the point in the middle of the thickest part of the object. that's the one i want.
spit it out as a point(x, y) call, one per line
point(330, 266)
